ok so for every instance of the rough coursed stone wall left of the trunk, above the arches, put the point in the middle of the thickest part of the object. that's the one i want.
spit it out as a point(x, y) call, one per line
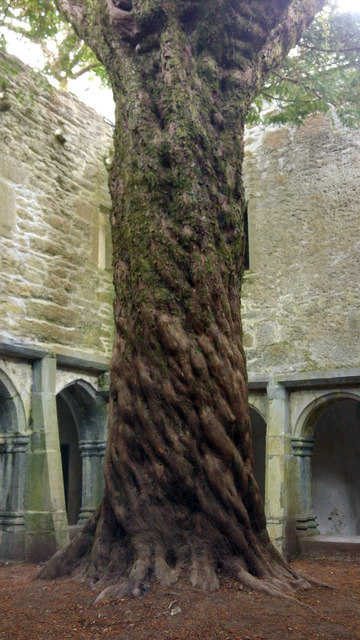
point(56, 284)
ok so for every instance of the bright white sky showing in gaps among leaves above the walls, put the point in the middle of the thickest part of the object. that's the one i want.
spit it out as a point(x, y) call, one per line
point(88, 88)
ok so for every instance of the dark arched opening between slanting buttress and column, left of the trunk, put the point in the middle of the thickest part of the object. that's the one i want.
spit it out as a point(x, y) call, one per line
point(70, 458)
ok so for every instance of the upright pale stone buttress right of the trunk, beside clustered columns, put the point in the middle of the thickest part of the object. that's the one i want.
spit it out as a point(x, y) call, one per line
point(277, 450)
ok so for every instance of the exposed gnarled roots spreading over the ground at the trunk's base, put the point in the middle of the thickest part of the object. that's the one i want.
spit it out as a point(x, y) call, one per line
point(104, 564)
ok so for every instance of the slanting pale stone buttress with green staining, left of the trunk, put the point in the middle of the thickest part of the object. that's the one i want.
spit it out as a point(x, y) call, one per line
point(46, 520)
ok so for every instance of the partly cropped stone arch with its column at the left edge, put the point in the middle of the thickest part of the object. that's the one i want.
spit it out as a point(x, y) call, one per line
point(13, 448)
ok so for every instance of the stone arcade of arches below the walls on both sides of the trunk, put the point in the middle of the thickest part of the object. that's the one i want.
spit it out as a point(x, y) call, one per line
point(306, 434)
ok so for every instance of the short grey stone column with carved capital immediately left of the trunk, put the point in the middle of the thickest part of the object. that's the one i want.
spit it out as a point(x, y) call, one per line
point(92, 453)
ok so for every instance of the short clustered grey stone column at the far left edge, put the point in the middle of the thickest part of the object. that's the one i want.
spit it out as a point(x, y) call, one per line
point(13, 447)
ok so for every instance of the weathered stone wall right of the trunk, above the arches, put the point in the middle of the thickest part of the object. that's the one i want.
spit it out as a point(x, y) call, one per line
point(301, 296)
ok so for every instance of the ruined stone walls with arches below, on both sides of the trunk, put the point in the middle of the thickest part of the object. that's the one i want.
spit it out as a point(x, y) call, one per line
point(301, 312)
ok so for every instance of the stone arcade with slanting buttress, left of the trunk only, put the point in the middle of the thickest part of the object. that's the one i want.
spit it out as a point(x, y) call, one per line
point(52, 445)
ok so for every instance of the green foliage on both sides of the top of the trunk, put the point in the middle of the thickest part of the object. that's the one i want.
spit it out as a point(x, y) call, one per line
point(321, 74)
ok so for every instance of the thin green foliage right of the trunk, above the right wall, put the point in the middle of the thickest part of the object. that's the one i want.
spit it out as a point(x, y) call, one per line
point(321, 74)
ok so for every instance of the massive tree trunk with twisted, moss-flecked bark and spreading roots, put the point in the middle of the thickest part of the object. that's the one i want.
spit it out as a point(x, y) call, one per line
point(180, 497)
